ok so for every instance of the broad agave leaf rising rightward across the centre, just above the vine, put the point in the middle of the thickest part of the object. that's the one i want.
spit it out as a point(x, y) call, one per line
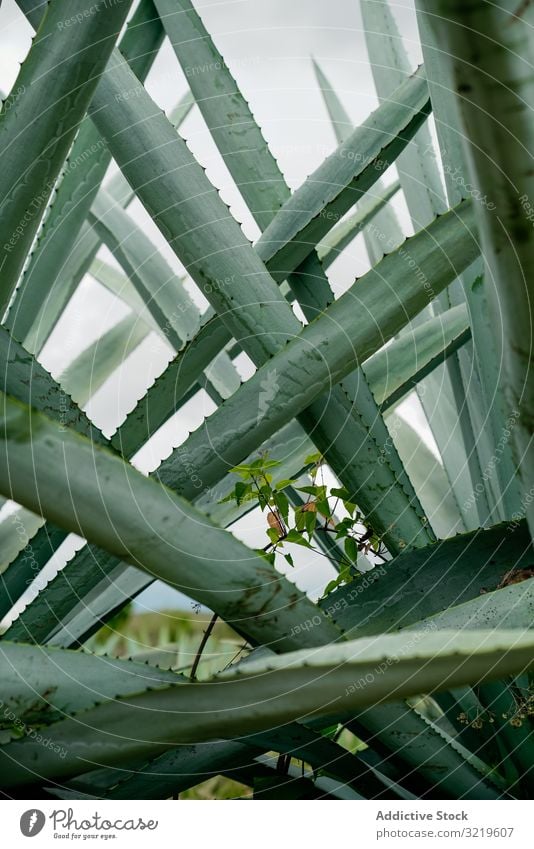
point(257, 423)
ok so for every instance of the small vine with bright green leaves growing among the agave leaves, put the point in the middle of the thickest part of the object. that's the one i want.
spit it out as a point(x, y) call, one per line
point(301, 523)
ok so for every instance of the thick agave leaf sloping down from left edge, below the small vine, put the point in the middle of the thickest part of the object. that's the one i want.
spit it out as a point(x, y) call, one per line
point(62, 476)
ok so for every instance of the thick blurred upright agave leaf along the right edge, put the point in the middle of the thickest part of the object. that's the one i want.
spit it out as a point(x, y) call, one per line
point(499, 162)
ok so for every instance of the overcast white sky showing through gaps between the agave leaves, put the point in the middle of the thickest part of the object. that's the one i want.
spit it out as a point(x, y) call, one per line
point(268, 44)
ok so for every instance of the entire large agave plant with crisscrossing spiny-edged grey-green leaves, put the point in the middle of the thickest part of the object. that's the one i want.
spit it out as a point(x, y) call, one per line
point(409, 676)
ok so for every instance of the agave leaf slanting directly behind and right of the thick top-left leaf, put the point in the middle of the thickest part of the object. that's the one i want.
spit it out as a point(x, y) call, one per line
point(86, 166)
